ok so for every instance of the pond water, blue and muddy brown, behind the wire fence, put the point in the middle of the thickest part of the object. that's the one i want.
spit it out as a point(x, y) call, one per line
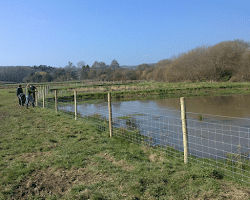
point(209, 135)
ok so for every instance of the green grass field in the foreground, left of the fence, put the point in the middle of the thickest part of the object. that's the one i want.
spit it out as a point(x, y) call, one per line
point(51, 156)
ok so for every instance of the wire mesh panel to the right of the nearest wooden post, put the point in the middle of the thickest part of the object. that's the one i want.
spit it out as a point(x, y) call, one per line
point(219, 141)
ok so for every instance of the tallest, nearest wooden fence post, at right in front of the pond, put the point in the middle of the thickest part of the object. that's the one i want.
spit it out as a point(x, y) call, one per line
point(184, 128)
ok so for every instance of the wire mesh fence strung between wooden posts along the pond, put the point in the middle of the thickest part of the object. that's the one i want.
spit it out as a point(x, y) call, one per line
point(218, 141)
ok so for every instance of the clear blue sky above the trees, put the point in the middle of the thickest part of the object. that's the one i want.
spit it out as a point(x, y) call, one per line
point(55, 32)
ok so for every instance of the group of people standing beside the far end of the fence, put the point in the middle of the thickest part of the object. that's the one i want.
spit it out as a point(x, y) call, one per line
point(29, 96)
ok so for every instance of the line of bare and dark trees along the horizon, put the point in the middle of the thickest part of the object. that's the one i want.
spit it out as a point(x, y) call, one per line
point(225, 61)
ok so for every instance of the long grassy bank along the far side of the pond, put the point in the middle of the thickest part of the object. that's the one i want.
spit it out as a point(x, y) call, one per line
point(153, 91)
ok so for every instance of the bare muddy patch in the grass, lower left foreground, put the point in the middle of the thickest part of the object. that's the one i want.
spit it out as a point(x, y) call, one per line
point(47, 183)
